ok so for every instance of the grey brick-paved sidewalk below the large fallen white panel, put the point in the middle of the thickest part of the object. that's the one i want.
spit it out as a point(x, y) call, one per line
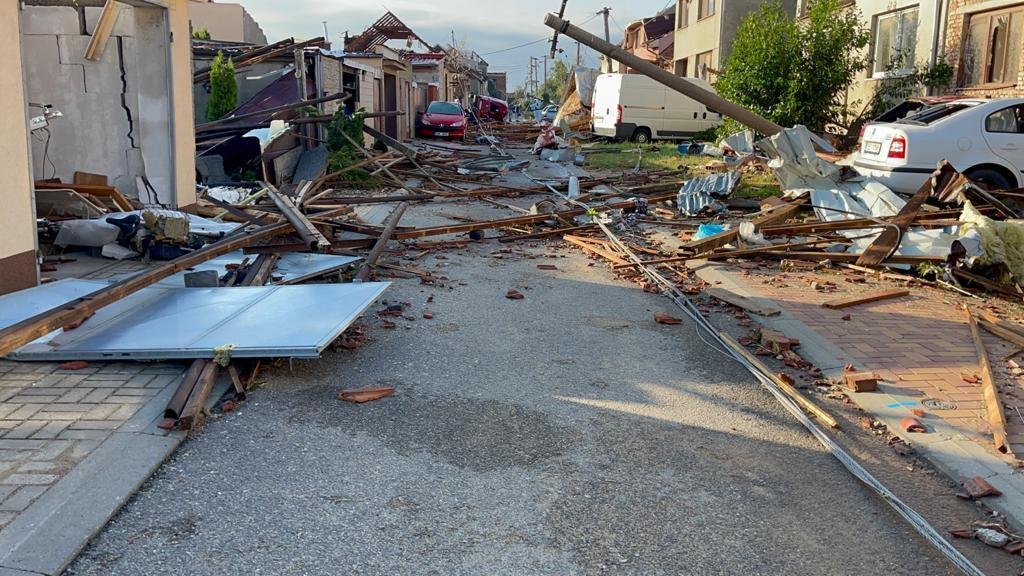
point(53, 422)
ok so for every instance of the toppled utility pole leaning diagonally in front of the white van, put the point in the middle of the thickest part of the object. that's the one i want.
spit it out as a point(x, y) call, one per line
point(678, 84)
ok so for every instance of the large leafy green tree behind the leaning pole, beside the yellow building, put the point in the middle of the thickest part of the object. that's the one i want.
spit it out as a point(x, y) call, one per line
point(795, 73)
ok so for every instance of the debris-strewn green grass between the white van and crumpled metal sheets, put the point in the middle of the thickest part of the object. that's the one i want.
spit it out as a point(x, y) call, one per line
point(623, 156)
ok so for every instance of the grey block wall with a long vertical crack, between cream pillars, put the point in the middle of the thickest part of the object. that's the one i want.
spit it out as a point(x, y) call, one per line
point(116, 110)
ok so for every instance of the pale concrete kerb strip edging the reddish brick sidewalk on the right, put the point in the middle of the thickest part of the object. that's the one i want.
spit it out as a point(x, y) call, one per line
point(946, 448)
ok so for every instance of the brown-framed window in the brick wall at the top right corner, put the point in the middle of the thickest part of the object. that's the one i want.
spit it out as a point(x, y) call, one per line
point(993, 51)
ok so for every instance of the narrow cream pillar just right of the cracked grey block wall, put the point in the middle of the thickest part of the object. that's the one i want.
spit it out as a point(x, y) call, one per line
point(182, 89)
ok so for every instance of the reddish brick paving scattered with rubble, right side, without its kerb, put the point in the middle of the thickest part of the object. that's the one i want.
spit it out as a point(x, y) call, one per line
point(921, 344)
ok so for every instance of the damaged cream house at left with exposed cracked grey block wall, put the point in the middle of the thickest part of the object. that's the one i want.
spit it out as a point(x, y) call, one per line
point(107, 98)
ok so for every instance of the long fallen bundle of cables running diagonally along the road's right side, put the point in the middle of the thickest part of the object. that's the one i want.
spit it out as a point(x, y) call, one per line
point(848, 462)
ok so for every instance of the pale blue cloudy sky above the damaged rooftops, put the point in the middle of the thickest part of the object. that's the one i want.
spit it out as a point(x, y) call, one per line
point(483, 26)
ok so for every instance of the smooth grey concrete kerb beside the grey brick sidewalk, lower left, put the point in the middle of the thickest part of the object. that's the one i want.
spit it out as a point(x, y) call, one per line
point(52, 532)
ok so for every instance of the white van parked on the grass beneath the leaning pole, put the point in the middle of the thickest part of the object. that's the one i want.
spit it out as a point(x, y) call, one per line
point(634, 107)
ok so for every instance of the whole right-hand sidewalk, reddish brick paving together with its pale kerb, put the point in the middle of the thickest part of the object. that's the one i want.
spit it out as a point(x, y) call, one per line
point(920, 345)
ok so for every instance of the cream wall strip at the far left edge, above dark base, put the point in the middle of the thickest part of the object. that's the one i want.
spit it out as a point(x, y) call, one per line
point(18, 230)
